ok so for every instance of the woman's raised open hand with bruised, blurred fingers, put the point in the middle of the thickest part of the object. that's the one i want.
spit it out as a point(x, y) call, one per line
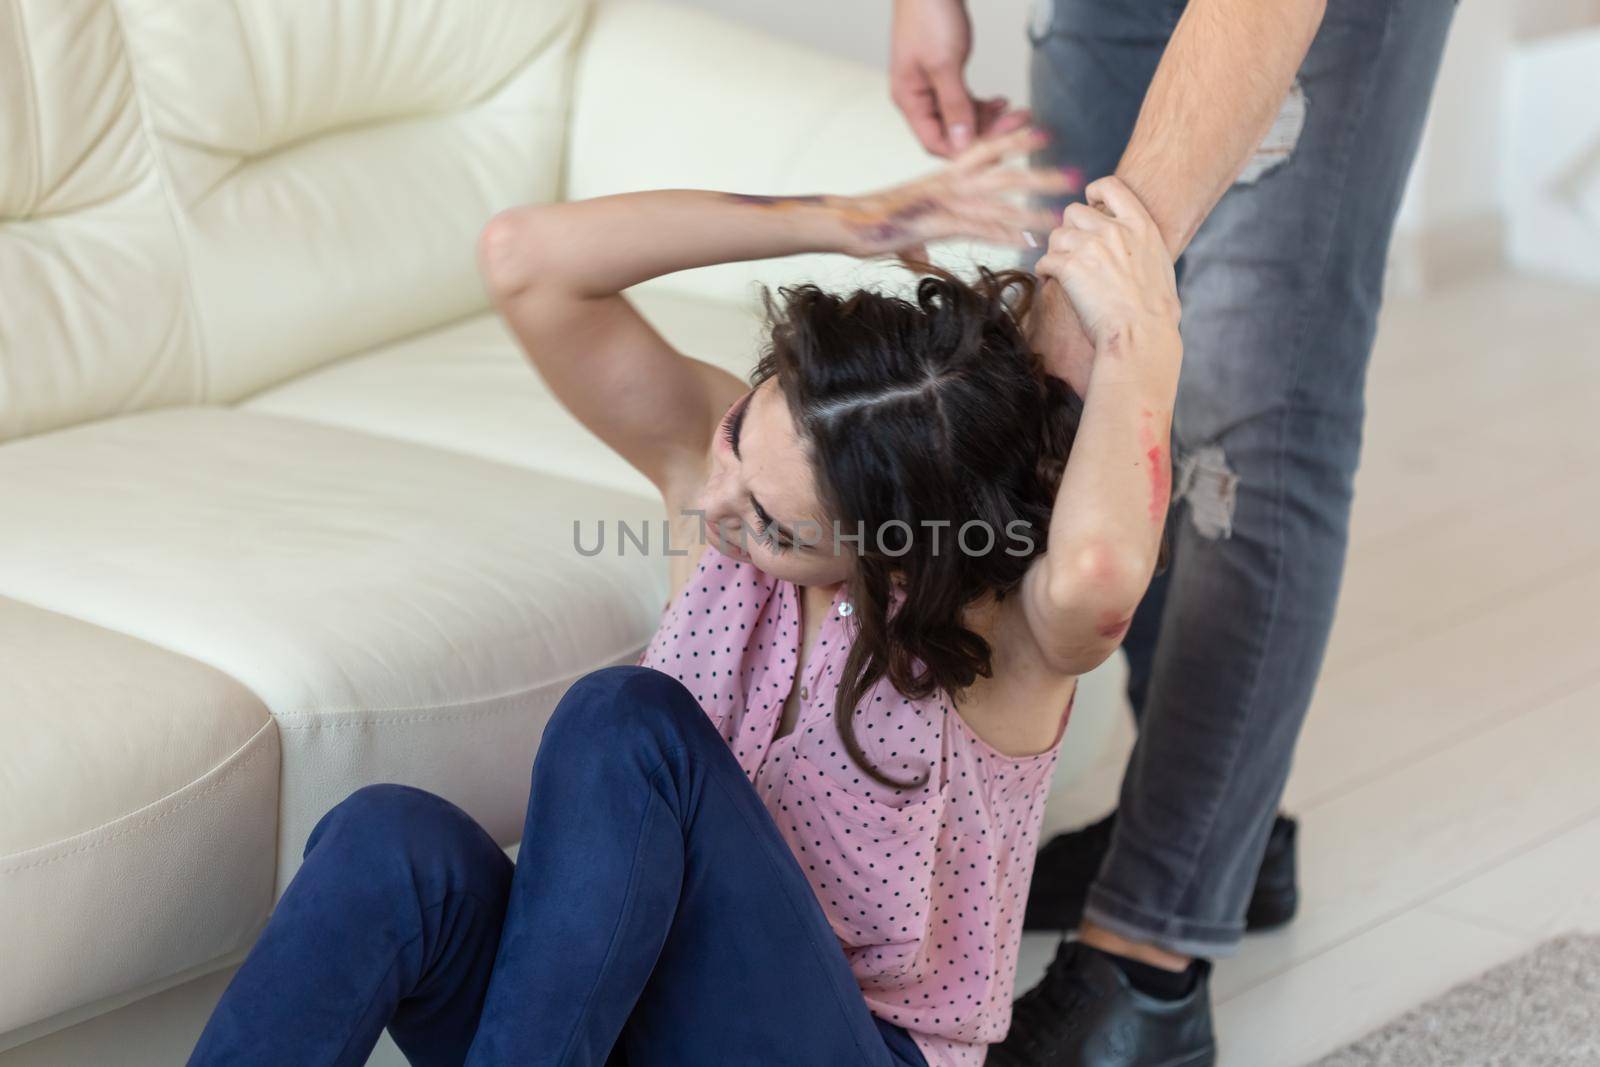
point(975, 198)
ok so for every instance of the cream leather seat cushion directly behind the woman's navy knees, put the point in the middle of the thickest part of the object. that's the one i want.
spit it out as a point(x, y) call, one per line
point(404, 613)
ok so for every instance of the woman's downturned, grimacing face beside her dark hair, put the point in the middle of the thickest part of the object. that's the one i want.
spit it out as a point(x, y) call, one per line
point(761, 502)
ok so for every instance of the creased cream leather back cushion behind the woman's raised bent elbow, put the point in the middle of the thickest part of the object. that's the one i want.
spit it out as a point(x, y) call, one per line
point(332, 164)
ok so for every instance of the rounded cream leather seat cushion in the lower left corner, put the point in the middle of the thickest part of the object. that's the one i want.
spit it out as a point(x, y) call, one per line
point(138, 810)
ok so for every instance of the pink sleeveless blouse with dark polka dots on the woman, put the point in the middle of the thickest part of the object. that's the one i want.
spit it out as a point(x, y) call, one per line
point(924, 887)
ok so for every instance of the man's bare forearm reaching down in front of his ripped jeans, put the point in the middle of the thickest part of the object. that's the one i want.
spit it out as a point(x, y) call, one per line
point(1220, 86)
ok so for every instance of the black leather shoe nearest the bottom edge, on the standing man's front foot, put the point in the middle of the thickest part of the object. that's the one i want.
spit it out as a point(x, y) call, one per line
point(1086, 1015)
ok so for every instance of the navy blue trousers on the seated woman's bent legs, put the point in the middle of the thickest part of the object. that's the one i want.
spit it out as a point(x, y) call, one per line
point(655, 916)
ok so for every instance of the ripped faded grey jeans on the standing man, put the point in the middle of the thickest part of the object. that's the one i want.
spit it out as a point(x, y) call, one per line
point(1281, 292)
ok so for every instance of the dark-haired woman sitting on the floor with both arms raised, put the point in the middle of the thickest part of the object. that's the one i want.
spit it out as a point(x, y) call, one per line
point(802, 831)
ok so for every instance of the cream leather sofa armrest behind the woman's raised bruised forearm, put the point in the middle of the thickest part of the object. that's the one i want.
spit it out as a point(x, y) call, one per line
point(674, 98)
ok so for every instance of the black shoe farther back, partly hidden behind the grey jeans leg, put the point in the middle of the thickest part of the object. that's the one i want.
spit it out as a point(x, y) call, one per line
point(1070, 861)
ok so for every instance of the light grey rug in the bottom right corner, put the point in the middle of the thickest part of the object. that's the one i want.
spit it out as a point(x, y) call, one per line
point(1542, 1009)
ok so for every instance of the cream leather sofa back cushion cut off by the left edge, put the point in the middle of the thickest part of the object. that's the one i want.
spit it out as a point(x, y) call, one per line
point(95, 321)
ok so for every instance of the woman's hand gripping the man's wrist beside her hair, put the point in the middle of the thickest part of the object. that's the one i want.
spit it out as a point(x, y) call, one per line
point(1113, 263)
